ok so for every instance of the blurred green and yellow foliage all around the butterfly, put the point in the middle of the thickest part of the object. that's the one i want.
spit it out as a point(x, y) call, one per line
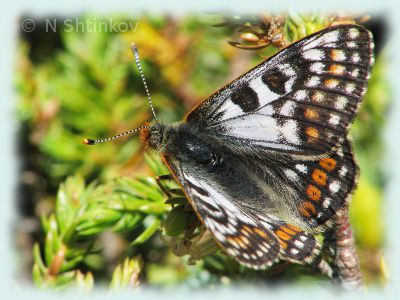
point(92, 214)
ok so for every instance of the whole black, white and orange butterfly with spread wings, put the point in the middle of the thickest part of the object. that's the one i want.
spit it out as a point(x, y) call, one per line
point(266, 161)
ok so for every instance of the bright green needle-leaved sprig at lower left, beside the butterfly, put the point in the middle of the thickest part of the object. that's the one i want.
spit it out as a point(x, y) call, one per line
point(82, 213)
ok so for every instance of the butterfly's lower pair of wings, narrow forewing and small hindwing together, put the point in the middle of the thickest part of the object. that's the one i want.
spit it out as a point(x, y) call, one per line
point(255, 240)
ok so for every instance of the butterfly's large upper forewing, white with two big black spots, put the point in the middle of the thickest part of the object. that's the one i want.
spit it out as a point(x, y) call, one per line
point(299, 101)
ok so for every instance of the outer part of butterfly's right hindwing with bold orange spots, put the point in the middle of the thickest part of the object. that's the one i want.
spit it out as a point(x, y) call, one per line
point(323, 186)
